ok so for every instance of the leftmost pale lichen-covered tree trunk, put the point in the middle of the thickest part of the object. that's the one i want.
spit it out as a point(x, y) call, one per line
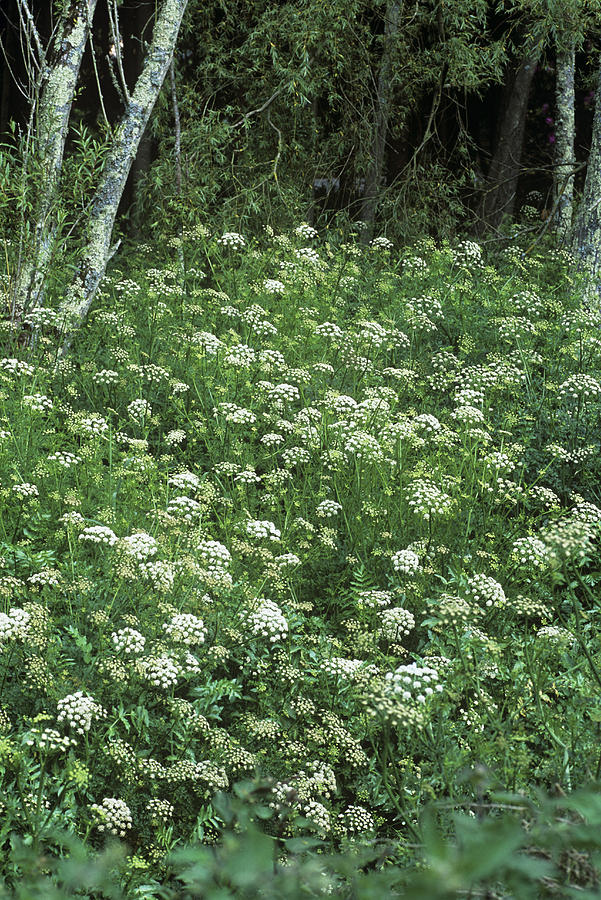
point(56, 90)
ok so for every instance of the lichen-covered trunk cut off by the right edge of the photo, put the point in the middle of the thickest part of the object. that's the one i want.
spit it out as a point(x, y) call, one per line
point(586, 243)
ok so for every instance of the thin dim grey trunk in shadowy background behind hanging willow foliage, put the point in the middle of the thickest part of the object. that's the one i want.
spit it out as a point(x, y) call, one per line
point(383, 104)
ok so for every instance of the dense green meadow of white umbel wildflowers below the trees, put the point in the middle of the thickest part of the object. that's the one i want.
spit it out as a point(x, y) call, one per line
point(299, 575)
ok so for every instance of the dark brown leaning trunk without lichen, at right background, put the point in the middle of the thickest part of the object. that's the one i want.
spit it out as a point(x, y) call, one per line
point(499, 197)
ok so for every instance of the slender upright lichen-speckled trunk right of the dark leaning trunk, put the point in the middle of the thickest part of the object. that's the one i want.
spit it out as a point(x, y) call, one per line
point(564, 139)
